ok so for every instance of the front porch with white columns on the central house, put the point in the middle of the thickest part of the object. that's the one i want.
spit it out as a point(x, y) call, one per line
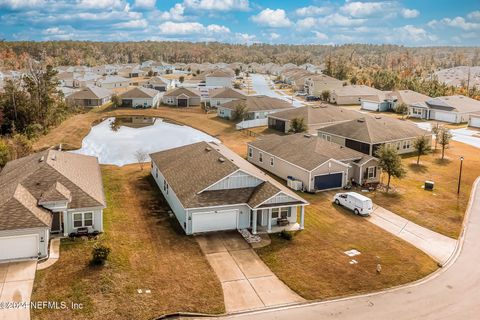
point(277, 219)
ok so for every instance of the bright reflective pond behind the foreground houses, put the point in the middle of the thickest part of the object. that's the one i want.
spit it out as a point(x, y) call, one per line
point(117, 141)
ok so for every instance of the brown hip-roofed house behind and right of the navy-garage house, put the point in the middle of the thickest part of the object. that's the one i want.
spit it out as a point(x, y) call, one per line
point(367, 134)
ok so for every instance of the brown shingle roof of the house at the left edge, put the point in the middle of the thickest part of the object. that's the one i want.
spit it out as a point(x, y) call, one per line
point(49, 175)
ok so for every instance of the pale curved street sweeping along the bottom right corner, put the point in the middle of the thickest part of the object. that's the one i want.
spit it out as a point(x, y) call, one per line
point(451, 293)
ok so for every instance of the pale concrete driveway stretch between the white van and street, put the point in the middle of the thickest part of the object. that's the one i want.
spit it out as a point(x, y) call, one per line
point(436, 245)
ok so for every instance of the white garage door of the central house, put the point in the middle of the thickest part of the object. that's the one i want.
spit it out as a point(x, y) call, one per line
point(214, 221)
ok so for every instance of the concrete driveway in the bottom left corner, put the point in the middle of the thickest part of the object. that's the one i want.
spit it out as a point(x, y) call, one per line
point(16, 283)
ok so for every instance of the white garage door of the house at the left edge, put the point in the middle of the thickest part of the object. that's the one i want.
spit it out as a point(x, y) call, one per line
point(19, 247)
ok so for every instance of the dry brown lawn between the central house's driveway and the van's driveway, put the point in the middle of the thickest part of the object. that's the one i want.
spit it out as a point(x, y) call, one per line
point(314, 264)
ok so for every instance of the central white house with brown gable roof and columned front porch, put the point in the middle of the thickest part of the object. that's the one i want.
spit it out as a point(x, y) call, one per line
point(211, 188)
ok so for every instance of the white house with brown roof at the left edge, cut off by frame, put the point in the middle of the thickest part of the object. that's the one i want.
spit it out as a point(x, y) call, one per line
point(48, 192)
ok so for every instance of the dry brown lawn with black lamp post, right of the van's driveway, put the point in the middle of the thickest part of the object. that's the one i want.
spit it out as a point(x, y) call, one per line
point(441, 210)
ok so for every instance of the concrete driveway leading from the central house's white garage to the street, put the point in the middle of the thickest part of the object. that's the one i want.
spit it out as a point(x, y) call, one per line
point(247, 282)
